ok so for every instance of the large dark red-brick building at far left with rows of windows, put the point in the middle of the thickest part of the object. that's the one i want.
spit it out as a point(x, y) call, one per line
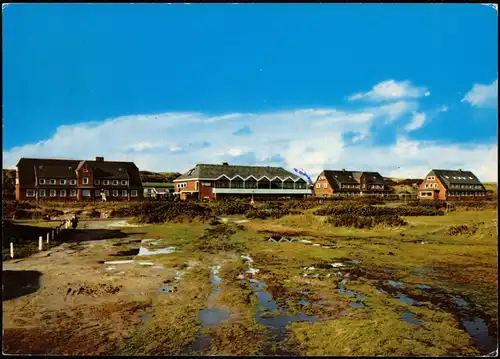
point(77, 180)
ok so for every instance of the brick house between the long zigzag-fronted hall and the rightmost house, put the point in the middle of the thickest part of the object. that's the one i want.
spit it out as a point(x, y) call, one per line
point(350, 183)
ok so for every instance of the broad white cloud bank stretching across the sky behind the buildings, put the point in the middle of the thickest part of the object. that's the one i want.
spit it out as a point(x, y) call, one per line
point(311, 139)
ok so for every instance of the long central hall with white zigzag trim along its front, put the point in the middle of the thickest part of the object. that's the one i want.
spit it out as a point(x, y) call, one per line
point(208, 181)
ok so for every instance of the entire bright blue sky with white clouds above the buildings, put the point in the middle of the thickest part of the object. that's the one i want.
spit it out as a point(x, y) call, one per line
point(395, 88)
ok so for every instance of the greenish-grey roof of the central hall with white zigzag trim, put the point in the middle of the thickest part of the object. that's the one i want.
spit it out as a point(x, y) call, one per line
point(208, 171)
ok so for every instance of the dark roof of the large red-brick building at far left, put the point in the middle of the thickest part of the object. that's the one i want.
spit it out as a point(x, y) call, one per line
point(61, 169)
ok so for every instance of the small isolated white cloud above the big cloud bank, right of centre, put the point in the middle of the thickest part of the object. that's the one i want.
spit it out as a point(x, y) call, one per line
point(391, 90)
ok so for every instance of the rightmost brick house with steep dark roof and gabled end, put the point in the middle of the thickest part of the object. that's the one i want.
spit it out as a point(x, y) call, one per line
point(451, 185)
